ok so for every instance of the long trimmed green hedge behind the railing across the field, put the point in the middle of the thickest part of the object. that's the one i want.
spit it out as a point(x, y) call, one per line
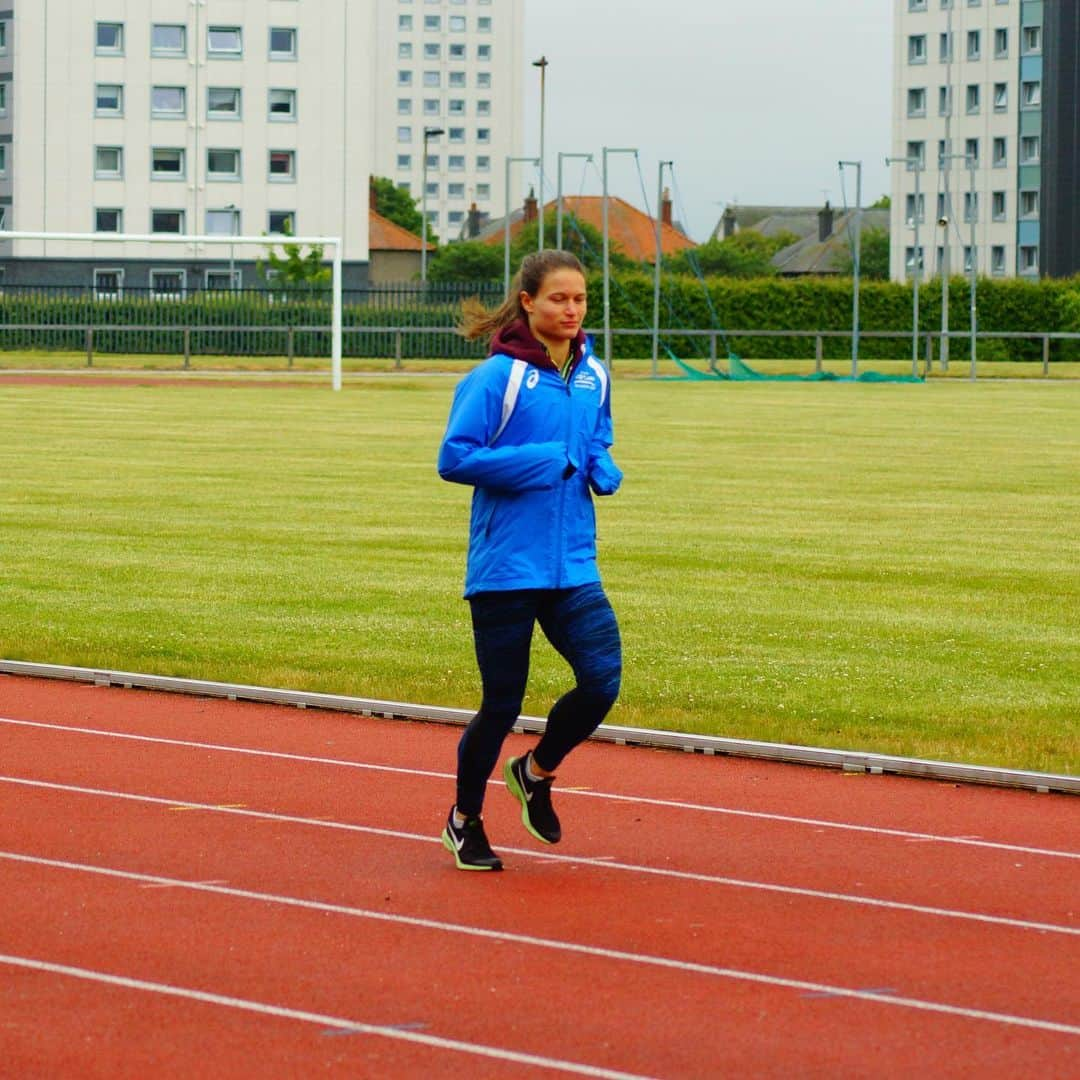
point(809, 304)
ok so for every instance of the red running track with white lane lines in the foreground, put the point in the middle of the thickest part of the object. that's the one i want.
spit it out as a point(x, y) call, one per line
point(249, 890)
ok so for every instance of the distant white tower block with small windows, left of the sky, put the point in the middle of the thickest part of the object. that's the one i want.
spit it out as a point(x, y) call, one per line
point(457, 67)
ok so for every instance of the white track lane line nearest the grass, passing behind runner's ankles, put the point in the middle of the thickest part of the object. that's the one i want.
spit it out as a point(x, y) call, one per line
point(671, 804)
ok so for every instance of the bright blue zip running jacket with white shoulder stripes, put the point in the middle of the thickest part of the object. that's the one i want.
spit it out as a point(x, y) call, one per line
point(532, 445)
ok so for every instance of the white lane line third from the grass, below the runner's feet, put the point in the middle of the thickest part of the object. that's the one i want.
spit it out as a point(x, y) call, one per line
point(688, 967)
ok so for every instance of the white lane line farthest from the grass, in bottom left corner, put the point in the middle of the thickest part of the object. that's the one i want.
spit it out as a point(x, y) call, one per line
point(336, 1023)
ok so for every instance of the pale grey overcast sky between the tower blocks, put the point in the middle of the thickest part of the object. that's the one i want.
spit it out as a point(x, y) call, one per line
point(755, 101)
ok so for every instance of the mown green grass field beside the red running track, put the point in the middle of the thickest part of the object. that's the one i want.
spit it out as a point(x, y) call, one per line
point(889, 569)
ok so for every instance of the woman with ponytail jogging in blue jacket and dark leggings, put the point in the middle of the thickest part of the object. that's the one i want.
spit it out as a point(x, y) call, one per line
point(530, 429)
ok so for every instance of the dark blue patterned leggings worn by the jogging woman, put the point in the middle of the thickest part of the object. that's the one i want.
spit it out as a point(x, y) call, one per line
point(582, 626)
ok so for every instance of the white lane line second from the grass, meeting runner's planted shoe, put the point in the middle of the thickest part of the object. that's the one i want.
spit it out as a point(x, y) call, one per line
point(603, 862)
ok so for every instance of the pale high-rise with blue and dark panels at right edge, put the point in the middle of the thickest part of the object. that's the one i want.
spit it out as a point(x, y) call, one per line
point(971, 115)
